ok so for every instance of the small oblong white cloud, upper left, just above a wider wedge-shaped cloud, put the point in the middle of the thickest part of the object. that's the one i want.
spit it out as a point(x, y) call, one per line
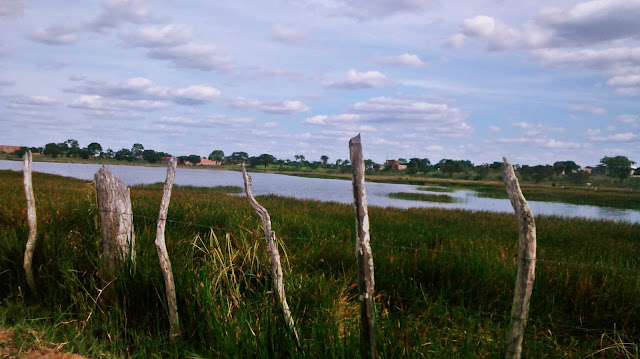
point(156, 36)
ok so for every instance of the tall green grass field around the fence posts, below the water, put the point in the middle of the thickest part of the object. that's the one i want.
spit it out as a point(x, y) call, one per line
point(444, 279)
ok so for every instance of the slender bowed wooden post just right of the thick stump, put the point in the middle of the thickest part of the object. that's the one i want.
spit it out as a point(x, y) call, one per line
point(163, 255)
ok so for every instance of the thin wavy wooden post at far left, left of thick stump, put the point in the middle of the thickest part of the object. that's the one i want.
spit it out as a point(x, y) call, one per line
point(31, 220)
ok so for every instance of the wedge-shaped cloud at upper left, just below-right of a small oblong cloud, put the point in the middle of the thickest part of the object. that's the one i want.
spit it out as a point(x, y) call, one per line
point(194, 56)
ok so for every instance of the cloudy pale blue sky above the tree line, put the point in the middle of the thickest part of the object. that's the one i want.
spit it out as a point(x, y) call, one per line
point(536, 81)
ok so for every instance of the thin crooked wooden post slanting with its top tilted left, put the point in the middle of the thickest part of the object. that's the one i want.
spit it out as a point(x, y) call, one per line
point(274, 255)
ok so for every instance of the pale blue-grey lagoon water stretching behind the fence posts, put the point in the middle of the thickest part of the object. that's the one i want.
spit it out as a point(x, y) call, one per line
point(328, 190)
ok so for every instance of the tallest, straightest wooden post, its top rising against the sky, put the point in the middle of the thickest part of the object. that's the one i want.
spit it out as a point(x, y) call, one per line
point(366, 281)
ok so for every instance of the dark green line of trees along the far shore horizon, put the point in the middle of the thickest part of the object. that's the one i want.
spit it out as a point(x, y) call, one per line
point(615, 166)
